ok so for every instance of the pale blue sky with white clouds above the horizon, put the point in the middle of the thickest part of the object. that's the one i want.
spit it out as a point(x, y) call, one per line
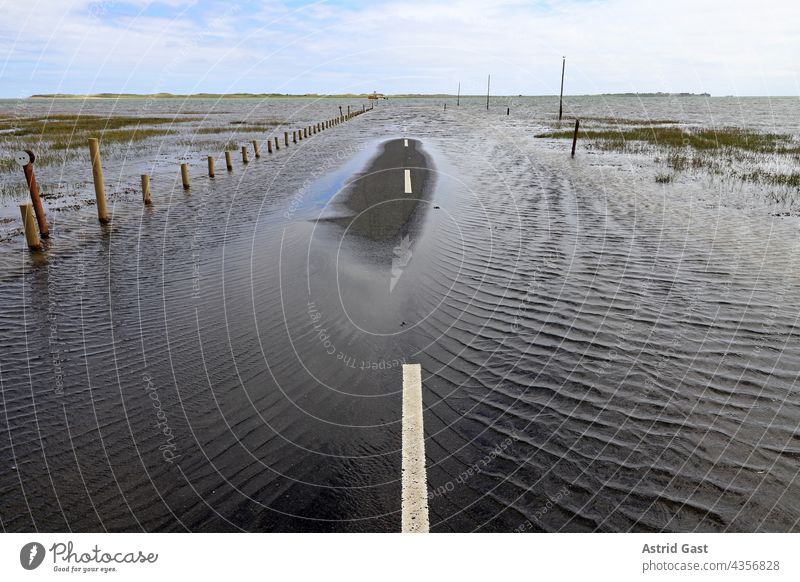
point(737, 47)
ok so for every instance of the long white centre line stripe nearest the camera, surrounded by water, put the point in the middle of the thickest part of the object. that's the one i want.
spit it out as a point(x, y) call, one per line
point(414, 496)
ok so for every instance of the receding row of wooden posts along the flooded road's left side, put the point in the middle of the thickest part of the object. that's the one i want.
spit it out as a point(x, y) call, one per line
point(33, 212)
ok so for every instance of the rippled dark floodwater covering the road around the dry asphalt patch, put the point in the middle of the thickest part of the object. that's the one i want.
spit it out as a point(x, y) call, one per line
point(599, 353)
